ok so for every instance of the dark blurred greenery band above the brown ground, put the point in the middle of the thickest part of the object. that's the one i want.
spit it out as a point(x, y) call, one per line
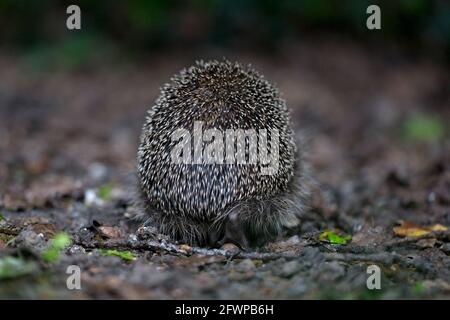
point(145, 26)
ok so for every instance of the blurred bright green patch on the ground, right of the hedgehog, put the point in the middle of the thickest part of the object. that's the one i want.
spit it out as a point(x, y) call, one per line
point(423, 128)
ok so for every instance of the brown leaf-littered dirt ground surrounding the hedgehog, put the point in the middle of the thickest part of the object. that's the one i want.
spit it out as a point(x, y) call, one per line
point(68, 144)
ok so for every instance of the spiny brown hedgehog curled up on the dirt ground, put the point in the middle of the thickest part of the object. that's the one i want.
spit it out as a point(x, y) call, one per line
point(218, 198)
